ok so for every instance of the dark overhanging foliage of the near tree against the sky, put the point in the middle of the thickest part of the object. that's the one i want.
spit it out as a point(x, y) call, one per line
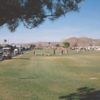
point(33, 12)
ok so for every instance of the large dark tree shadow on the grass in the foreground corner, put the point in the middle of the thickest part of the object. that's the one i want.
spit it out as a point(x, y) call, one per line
point(83, 93)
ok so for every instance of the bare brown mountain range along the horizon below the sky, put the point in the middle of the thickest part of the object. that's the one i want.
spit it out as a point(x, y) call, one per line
point(82, 41)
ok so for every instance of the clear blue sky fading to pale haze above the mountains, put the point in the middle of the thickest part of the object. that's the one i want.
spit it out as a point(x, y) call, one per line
point(74, 24)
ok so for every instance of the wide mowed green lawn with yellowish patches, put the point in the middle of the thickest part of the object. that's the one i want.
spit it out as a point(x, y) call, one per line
point(30, 77)
